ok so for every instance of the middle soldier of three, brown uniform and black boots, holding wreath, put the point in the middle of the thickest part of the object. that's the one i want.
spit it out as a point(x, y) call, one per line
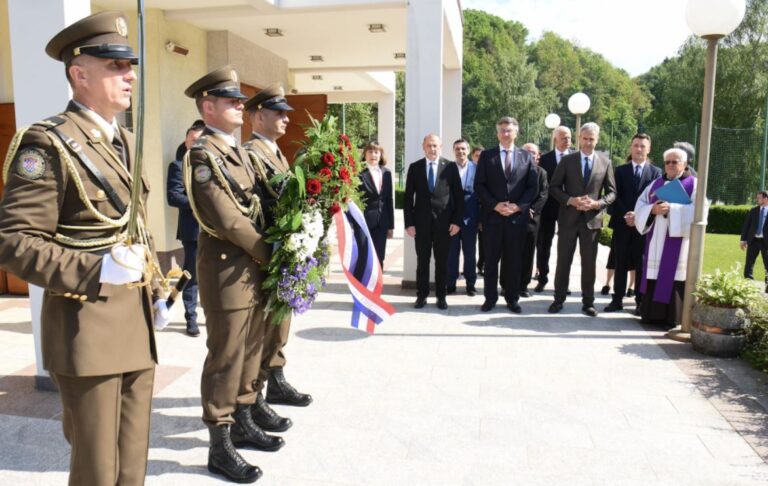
point(226, 196)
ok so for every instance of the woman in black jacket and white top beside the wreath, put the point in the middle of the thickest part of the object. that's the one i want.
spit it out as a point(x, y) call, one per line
point(378, 196)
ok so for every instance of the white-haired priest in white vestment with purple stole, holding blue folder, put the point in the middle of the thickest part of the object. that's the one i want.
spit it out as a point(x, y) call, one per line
point(667, 227)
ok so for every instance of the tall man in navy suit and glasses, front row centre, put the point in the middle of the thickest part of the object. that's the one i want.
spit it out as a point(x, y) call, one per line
point(506, 183)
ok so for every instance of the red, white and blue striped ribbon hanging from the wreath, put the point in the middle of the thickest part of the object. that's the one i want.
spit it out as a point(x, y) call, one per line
point(362, 269)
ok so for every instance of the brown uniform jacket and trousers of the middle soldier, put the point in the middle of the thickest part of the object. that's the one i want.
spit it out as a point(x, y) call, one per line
point(228, 274)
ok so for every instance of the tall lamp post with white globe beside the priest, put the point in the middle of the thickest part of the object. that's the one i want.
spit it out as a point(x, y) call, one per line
point(710, 20)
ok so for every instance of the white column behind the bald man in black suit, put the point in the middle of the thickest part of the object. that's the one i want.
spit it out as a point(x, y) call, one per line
point(423, 94)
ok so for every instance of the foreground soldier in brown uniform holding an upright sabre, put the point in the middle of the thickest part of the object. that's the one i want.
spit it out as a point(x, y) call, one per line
point(62, 226)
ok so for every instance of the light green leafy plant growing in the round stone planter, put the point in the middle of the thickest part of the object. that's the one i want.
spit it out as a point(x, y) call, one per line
point(726, 289)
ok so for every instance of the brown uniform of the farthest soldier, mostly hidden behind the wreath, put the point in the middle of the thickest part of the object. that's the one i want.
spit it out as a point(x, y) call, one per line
point(275, 337)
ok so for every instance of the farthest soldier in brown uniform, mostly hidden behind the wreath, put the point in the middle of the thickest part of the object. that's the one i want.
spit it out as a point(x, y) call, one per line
point(268, 110)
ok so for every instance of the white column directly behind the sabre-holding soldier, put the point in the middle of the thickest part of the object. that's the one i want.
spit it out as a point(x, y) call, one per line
point(40, 90)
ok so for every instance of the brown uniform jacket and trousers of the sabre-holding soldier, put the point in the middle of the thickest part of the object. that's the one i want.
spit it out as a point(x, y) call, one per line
point(97, 339)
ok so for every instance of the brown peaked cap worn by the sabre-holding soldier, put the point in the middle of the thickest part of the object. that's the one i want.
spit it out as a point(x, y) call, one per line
point(104, 34)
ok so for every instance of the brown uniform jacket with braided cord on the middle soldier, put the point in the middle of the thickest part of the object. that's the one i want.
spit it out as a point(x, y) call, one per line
point(231, 246)
